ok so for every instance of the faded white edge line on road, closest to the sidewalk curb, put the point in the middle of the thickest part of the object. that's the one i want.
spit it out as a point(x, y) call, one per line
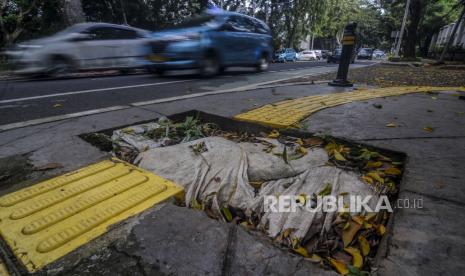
point(60, 117)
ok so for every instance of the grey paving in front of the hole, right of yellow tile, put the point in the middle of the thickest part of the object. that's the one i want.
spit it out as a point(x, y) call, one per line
point(180, 241)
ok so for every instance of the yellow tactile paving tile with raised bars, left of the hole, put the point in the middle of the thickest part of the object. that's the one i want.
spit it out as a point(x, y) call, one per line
point(46, 221)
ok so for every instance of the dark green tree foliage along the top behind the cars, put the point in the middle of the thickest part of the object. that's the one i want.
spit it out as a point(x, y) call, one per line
point(290, 21)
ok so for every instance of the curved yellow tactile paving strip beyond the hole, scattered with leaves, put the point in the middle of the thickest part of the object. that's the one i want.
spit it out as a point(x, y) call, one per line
point(289, 113)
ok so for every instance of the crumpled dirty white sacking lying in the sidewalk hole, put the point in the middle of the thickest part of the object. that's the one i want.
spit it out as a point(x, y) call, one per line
point(222, 171)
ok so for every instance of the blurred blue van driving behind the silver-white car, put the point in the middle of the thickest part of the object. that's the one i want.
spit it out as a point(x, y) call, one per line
point(212, 42)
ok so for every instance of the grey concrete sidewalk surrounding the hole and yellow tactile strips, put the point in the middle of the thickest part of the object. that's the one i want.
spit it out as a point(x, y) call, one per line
point(426, 241)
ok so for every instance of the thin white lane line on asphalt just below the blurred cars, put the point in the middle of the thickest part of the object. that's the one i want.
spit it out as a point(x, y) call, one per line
point(88, 91)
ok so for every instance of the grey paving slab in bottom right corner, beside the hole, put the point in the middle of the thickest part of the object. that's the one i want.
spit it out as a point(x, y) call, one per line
point(427, 241)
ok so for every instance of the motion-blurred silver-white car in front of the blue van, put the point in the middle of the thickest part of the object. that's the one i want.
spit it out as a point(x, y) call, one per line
point(85, 46)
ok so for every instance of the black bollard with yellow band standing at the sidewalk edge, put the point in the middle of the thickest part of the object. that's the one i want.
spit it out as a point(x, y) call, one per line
point(348, 44)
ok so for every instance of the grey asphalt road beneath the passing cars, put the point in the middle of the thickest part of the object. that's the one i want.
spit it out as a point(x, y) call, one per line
point(24, 100)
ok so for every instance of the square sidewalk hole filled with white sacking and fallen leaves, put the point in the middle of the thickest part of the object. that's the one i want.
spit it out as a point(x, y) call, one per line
point(235, 170)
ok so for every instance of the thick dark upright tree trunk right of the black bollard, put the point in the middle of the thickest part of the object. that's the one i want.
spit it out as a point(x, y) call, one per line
point(416, 11)
